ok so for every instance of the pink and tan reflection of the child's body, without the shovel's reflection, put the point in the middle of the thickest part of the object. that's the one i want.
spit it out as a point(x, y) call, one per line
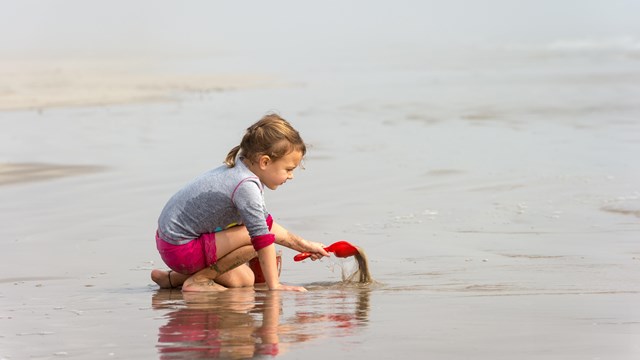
point(232, 325)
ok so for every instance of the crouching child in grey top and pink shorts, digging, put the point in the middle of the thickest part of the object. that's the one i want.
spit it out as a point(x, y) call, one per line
point(210, 228)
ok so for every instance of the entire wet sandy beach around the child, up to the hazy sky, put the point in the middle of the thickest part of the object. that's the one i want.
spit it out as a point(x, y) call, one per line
point(495, 190)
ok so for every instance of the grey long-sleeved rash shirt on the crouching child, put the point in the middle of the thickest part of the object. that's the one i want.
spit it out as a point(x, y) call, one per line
point(217, 199)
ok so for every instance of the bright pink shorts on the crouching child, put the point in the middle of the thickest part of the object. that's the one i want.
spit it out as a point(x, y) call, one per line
point(191, 257)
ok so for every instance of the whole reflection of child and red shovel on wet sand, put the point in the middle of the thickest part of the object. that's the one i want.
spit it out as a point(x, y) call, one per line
point(243, 323)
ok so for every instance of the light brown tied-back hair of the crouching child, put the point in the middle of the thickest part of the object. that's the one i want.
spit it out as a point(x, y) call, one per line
point(272, 136)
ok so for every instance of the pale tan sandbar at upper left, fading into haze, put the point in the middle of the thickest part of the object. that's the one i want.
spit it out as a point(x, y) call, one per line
point(51, 83)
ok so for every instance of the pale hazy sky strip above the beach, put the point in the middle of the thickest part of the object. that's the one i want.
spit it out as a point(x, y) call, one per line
point(116, 27)
